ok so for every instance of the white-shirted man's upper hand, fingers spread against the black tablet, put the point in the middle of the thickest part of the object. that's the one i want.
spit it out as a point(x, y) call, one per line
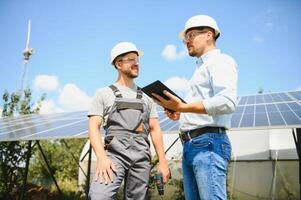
point(174, 103)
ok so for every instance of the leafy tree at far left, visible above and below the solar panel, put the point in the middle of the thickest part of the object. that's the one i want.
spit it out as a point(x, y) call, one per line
point(12, 154)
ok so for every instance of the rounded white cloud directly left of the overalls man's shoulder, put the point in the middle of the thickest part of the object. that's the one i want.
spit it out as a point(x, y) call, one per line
point(72, 98)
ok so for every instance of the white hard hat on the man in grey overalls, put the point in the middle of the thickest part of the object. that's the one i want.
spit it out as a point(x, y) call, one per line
point(123, 47)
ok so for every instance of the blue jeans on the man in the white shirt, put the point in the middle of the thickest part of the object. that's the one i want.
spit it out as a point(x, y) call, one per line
point(204, 165)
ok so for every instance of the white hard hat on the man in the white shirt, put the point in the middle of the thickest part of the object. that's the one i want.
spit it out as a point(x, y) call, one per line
point(200, 21)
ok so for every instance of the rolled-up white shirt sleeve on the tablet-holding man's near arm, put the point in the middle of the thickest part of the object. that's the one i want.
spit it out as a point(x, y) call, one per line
point(223, 77)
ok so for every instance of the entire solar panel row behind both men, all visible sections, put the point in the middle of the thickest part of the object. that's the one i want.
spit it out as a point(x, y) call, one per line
point(274, 110)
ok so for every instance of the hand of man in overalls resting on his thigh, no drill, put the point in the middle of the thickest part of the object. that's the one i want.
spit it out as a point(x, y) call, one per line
point(104, 170)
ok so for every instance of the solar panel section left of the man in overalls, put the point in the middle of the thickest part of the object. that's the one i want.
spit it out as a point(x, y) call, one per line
point(37, 127)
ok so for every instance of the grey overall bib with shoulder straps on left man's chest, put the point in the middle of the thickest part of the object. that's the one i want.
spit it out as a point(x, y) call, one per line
point(127, 114)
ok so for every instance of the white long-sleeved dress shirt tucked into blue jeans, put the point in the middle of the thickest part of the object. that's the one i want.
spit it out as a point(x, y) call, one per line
point(214, 83)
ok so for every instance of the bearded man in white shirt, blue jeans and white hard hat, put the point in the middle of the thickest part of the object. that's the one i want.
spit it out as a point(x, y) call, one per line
point(206, 116)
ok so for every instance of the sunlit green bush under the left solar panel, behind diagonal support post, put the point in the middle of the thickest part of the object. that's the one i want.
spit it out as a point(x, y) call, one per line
point(62, 156)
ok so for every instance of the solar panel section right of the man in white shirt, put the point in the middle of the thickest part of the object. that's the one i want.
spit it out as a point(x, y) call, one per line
point(266, 110)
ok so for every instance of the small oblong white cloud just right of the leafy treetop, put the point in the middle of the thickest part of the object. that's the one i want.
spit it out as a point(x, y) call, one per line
point(46, 82)
